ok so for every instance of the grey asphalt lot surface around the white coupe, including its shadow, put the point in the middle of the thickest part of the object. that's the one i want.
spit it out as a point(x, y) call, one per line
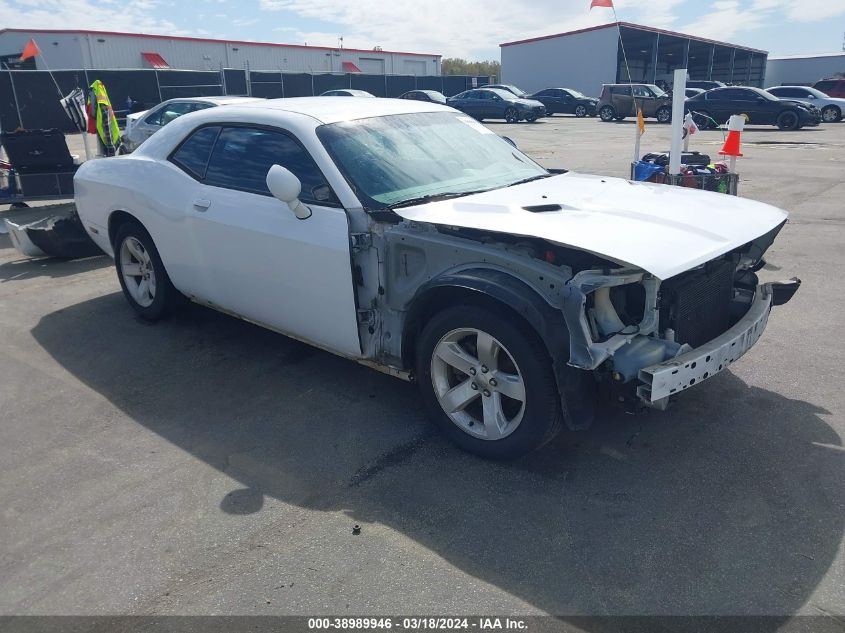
point(204, 465)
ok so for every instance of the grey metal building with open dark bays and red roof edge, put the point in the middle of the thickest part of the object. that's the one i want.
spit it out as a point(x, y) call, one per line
point(587, 58)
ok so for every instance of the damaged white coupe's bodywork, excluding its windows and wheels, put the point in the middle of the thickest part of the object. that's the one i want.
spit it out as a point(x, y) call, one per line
point(349, 280)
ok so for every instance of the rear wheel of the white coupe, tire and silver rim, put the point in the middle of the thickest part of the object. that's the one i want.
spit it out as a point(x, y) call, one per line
point(141, 273)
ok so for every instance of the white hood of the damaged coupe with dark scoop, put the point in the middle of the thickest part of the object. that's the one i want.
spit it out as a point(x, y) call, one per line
point(661, 229)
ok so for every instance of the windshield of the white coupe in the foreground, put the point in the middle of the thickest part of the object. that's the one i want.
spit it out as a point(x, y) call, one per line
point(394, 159)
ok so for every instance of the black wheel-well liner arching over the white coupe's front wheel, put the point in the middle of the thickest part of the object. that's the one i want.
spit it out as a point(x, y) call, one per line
point(443, 297)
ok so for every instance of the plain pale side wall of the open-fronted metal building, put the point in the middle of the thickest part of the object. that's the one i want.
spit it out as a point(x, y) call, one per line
point(583, 61)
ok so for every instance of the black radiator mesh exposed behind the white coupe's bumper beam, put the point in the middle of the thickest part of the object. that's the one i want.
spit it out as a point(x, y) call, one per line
point(697, 305)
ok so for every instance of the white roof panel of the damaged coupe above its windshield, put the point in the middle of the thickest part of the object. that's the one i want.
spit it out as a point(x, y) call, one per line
point(331, 110)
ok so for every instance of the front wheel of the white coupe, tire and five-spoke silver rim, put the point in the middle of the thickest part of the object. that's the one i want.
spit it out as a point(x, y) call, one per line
point(487, 382)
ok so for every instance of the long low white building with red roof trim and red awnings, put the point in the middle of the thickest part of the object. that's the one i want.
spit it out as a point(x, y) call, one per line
point(100, 49)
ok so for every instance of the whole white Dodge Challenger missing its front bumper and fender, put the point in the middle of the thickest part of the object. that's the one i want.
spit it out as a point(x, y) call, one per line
point(407, 236)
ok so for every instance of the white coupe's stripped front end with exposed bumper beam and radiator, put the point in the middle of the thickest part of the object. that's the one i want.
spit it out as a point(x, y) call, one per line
point(650, 339)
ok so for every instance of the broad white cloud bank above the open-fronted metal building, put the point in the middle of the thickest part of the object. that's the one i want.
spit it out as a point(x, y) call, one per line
point(474, 28)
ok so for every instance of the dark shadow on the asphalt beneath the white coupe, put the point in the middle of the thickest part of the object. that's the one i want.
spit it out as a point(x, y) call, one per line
point(728, 503)
